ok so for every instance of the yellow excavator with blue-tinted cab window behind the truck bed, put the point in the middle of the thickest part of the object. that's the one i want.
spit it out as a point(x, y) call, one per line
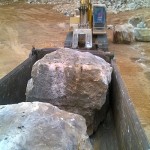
point(88, 28)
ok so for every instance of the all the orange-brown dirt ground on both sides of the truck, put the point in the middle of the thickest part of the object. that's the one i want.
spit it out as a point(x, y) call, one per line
point(23, 26)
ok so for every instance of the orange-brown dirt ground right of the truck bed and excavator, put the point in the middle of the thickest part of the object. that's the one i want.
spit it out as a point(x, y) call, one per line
point(134, 64)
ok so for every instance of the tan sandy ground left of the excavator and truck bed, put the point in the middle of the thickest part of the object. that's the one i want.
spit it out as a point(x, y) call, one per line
point(23, 26)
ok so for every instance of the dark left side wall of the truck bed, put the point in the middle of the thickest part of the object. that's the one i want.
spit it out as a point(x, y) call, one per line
point(13, 85)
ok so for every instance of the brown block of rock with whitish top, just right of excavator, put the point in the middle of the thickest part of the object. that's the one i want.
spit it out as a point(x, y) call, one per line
point(123, 34)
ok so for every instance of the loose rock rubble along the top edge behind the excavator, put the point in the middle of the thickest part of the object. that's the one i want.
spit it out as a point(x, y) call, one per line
point(68, 7)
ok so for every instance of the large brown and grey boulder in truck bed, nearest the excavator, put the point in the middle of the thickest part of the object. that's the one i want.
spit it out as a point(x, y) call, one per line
point(74, 81)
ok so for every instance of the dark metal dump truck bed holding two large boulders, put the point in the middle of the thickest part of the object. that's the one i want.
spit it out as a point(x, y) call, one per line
point(121, 128)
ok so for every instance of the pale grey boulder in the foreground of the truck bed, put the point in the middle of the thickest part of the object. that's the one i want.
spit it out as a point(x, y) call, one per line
point(41, 126)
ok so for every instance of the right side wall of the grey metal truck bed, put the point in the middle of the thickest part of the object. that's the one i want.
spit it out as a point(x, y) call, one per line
point(130, 134)
